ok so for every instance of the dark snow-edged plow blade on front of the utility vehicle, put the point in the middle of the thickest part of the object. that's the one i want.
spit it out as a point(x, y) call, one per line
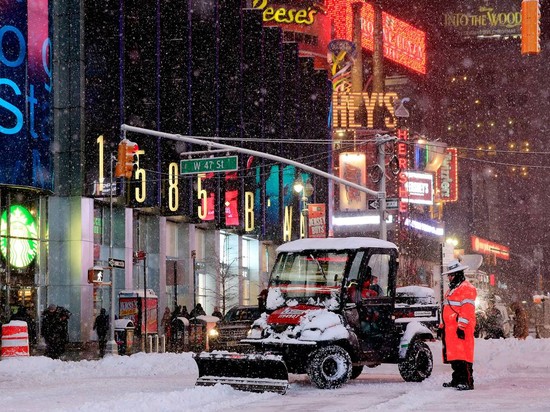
point(246, 372)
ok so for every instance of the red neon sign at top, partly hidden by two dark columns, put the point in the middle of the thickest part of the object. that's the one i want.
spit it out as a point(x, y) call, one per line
point(403, 43)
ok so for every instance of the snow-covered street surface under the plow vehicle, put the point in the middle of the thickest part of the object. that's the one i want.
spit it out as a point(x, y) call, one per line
point(510, 375)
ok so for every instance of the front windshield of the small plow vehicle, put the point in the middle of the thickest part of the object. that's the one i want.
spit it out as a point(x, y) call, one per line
point(309, 274)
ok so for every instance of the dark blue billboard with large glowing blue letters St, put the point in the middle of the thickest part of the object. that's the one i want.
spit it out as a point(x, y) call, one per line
point(25, 94)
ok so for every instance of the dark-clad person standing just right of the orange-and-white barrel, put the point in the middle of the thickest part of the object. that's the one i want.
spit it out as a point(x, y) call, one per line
point(55, 330)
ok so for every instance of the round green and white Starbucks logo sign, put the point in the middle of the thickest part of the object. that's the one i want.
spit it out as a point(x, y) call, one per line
point(22, 237)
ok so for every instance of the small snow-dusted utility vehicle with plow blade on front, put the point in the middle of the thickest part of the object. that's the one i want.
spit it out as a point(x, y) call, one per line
point(325, 318)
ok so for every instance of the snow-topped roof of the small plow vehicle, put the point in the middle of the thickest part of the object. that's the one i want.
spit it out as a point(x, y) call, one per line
point(335, 244)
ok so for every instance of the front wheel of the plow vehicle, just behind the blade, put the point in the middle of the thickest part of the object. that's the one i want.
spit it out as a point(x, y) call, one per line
point(329, 367)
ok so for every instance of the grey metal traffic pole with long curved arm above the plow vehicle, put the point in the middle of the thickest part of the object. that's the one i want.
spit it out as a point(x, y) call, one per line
point(381, 140)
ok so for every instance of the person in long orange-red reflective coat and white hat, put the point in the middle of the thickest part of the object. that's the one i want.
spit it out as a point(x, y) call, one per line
point(459, 321)
